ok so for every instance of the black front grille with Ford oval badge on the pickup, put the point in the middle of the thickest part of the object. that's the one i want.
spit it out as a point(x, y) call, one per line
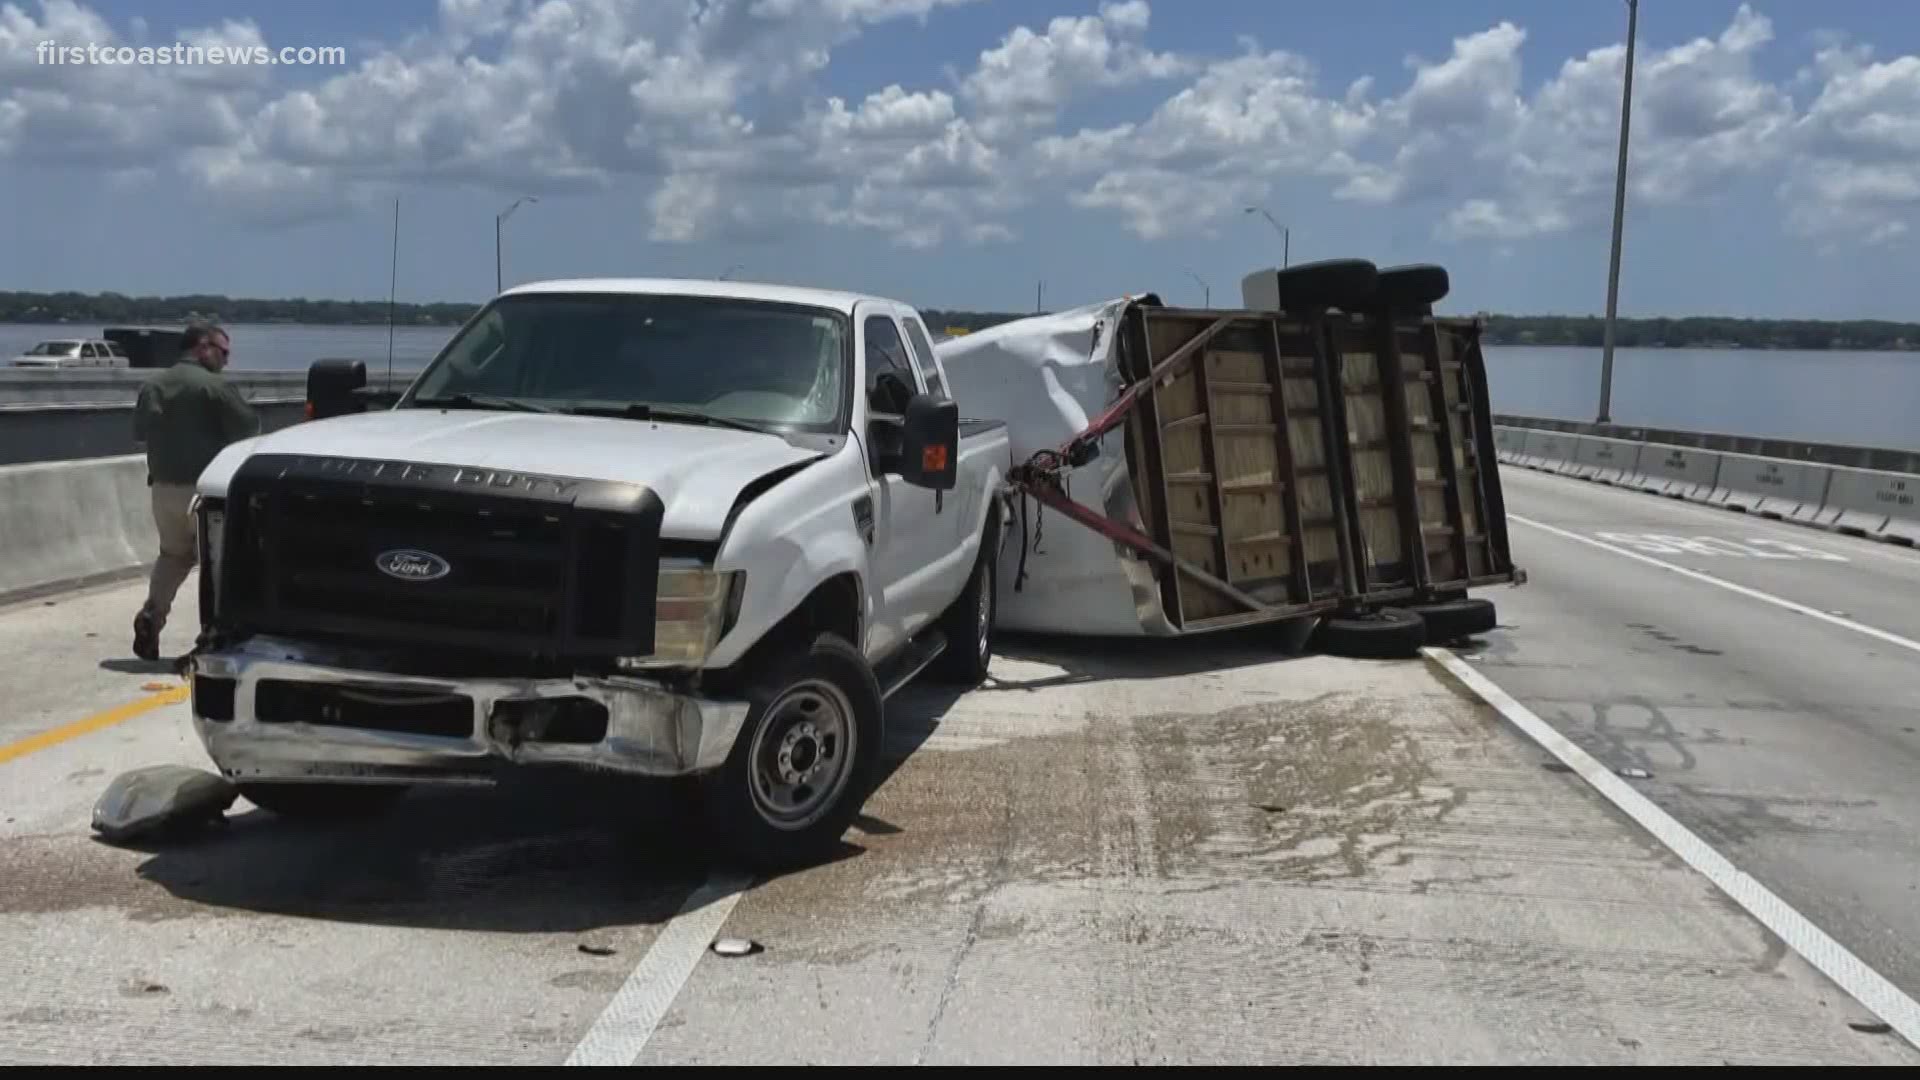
point(446, 556)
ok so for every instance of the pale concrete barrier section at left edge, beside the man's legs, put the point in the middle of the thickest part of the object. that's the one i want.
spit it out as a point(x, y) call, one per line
point(70, 524)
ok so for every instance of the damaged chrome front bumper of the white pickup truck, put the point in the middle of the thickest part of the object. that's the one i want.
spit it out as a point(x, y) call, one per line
point(274, 710)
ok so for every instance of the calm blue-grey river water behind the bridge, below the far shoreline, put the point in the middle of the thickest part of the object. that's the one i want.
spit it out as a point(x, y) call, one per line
point(1869, 399)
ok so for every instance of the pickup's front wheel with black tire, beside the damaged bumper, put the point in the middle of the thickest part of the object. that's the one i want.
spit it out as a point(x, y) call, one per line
point(804, 762)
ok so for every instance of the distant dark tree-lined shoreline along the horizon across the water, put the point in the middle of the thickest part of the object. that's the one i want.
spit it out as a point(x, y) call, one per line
point(1543, 331)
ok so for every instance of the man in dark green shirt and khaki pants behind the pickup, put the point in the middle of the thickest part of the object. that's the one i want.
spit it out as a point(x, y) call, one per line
point(185, 416)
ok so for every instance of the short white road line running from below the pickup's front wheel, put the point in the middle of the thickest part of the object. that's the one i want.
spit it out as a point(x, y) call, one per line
point(629, 1021)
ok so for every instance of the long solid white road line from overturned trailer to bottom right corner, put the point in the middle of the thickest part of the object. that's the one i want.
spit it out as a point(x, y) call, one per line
point(1813, 945)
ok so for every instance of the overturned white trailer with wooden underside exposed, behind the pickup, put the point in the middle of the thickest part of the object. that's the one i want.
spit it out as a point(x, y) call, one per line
point(1322, 453)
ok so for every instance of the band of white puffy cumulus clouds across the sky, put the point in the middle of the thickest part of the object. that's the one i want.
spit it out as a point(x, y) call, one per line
point(713, 116)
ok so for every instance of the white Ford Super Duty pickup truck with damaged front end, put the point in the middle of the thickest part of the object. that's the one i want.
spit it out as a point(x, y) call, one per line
point(694, 529)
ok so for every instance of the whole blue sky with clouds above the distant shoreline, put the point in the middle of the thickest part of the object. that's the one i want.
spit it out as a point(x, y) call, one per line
point(955, 153)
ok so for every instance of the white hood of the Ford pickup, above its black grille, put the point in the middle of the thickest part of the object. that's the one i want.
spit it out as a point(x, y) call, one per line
point(698, 472)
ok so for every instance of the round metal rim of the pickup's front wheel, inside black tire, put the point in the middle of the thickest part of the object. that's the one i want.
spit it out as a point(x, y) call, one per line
point(804, 754)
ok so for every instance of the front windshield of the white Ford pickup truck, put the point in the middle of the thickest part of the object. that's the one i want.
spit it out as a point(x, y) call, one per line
point(648, 356)
